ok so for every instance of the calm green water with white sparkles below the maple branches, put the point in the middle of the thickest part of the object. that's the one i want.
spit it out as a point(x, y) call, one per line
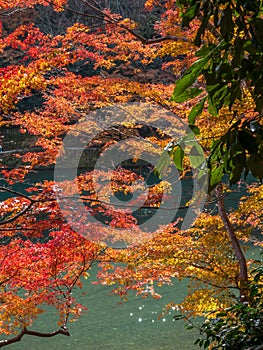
point(132, 325)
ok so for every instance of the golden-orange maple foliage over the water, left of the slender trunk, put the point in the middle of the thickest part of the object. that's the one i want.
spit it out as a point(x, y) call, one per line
point(194, 254)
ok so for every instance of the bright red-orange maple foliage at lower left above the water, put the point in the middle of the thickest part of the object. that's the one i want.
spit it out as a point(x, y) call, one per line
point(44, 274)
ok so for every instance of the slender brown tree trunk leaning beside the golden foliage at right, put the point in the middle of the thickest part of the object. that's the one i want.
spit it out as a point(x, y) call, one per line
point(243, 274)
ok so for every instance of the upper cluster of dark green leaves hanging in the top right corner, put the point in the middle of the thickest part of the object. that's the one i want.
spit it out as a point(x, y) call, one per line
point(235, 59)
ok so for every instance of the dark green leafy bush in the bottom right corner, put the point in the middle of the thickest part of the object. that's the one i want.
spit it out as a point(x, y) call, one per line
point(240, 327)
